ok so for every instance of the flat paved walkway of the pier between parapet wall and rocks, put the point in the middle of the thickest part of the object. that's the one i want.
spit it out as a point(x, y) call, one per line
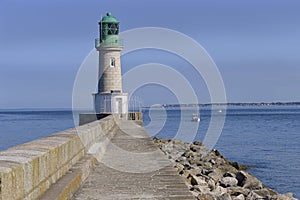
point(133, 168)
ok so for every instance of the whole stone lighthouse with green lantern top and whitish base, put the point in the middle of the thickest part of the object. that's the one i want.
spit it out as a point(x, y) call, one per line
point(110, 99)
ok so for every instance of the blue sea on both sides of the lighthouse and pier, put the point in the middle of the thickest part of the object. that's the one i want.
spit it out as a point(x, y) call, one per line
point(267, 139)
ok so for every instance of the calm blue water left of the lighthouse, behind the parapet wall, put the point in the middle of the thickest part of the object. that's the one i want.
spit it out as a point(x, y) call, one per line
point(20, 126)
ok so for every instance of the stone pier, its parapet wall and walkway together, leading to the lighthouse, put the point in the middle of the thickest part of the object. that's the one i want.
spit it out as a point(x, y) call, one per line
point(105, 159)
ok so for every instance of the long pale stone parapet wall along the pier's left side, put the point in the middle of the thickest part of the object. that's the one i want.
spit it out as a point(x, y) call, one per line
point(27, 171)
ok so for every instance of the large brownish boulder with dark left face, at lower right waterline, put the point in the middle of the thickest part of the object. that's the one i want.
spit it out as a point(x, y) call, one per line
point(246, 180)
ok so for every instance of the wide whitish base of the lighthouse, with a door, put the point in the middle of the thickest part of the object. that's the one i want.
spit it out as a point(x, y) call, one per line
point(111, 103)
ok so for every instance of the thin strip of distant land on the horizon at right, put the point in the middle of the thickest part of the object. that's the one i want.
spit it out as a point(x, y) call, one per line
point(228, 104)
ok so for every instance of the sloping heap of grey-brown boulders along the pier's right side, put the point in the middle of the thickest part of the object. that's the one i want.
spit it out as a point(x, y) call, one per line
point(210, 176)
